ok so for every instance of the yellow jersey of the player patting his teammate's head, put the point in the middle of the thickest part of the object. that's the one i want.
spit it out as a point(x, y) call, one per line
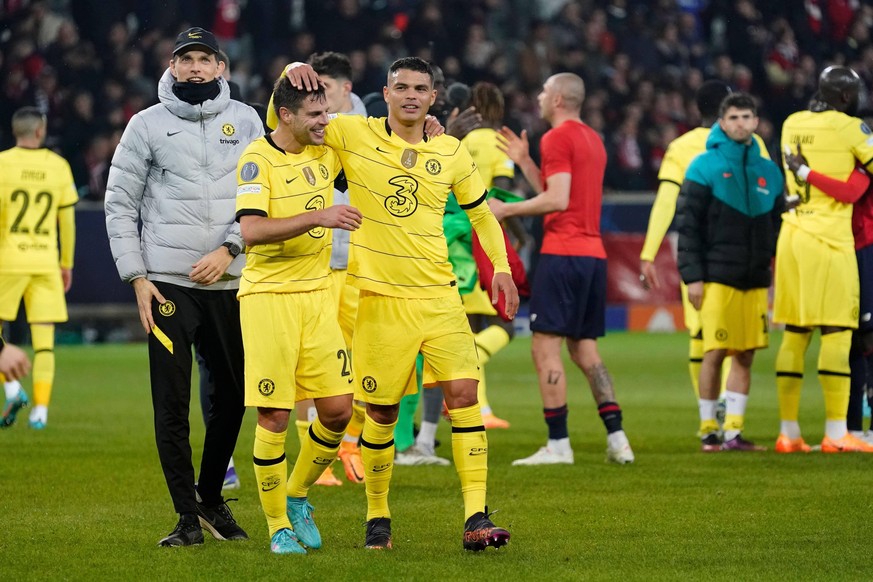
point(401, 189)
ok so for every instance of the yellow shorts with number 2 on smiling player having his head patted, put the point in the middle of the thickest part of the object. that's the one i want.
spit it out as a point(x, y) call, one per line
point(294, 348)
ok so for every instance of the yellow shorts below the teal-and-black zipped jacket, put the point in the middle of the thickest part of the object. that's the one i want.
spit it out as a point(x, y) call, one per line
point(733, 319)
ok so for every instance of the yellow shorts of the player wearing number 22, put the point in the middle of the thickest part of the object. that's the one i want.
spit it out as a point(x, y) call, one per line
point(43, 294)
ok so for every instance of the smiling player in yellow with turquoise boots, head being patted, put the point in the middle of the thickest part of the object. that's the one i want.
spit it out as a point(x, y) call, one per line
point(294, 347)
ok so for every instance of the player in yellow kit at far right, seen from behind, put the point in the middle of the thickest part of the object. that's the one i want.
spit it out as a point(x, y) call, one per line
point(816, 266)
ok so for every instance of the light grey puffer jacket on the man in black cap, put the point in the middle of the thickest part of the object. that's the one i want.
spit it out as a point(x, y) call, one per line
point(175, 169)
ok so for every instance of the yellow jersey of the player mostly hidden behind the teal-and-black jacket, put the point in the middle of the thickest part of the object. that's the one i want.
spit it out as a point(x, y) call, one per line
point(676, 160)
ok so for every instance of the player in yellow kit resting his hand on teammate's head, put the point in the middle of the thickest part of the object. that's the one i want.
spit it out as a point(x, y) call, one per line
point(400, 180)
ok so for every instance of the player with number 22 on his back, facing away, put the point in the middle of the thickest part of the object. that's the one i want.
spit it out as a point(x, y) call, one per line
point(37, 195)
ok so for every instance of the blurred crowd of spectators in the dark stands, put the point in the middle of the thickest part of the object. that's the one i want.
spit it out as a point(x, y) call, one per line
point(92, 64)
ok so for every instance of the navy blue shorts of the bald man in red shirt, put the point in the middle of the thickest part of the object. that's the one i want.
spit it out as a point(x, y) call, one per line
point(568, 297)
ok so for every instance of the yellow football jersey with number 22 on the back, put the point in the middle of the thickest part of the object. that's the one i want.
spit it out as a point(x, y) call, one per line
point(34, 184)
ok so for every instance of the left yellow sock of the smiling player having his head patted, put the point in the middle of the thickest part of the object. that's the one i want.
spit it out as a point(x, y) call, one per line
point(271, 471)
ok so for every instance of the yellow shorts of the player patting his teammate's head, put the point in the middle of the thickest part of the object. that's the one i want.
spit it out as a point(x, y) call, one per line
point(391, 331)
